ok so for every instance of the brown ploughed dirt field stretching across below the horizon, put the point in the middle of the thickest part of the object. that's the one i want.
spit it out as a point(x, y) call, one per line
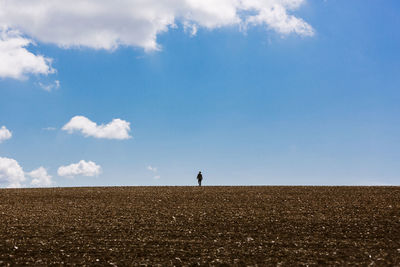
point(208, 225)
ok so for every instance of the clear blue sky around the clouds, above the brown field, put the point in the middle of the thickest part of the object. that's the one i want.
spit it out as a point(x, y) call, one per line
point(254, 106)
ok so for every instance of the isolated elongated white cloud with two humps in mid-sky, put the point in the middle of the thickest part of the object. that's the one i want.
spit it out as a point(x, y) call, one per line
point(116, 129)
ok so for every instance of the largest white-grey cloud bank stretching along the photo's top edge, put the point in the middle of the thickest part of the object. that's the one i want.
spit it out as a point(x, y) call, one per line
point(103, 24)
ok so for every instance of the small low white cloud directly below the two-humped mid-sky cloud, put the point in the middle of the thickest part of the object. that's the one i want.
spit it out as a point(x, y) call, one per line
point(84, 168)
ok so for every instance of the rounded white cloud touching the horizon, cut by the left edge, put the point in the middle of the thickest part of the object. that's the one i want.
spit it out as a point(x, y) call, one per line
point(11, 173)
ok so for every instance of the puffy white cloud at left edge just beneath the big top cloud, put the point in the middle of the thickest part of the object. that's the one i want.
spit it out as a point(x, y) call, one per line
point(15, 60)
